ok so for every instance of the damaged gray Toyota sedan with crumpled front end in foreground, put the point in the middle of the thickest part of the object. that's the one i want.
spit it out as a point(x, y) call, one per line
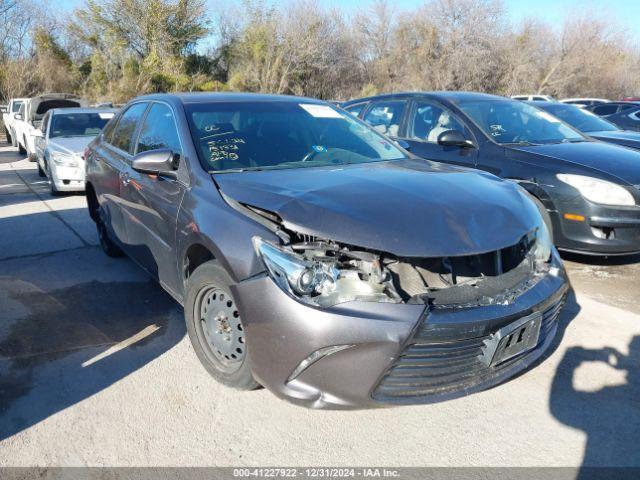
point(315, 257)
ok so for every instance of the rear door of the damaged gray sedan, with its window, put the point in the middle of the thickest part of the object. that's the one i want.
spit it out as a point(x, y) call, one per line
point(112, 153)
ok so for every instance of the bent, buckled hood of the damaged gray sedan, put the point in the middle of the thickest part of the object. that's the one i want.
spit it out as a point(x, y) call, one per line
point(410, 208)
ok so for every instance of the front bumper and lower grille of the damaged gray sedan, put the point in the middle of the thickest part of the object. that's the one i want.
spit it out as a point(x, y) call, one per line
point(372, 369)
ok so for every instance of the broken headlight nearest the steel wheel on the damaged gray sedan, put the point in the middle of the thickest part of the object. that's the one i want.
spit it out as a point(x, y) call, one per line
point(324, 275)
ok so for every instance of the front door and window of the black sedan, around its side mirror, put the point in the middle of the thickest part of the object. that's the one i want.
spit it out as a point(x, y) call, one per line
point(426, 120)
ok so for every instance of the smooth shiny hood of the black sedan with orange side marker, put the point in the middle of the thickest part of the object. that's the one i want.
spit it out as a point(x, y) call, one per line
point(611, 160)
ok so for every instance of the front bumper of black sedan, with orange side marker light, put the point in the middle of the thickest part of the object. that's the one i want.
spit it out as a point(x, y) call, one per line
point(605, 230)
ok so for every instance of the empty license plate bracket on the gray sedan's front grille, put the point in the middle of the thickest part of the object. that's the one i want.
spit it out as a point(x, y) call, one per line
point(512, 340)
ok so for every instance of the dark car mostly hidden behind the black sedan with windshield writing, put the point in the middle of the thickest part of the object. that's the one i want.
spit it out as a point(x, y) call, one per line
point(591, 124)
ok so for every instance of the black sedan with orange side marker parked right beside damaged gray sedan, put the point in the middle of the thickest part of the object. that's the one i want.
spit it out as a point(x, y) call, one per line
point(588, 191)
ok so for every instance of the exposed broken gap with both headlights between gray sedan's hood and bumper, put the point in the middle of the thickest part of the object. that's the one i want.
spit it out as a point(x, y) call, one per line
point(324, 273)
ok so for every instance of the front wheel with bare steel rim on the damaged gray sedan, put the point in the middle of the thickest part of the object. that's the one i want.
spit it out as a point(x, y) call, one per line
point(208, 286)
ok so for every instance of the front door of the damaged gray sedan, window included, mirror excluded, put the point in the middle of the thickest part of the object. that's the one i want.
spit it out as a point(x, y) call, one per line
point(152, 202)
